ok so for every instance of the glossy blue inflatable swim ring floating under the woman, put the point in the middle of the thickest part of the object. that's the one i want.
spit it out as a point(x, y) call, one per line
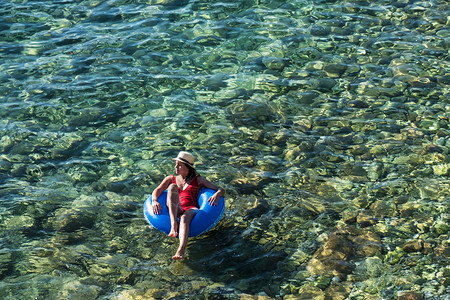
point(206, 218)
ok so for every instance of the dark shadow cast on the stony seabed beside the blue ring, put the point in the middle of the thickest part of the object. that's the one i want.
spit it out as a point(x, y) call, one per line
point(229, 256)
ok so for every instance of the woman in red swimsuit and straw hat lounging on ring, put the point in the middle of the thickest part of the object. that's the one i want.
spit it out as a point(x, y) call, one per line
point(182, 194)
